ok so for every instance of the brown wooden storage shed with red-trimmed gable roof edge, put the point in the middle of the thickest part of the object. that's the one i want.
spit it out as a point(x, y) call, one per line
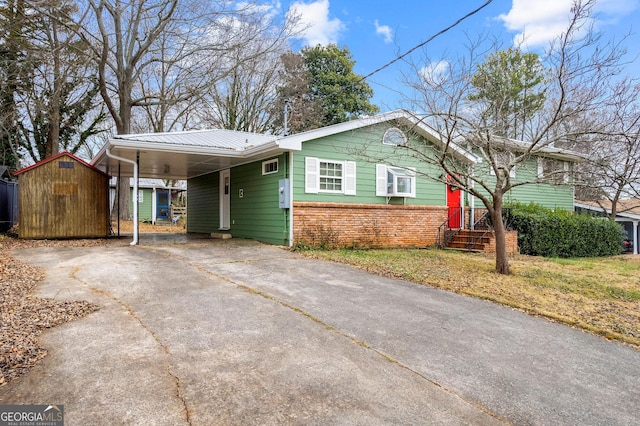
point(63, 197)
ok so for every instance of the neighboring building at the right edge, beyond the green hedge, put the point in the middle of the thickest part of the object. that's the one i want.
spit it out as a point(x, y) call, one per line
point(628, 215)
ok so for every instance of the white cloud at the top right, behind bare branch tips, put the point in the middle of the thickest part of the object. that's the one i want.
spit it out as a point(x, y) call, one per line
point(537, 23)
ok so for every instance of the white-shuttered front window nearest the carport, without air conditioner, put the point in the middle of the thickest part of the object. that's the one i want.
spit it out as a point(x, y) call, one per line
point(330, 176)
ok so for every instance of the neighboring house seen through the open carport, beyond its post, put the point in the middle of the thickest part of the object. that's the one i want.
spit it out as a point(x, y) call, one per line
point(154, 198)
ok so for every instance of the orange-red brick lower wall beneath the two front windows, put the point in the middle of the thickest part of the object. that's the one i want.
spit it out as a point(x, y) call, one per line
point(366, 225)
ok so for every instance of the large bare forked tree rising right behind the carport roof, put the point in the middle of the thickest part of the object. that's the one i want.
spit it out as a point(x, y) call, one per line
point(157, 53)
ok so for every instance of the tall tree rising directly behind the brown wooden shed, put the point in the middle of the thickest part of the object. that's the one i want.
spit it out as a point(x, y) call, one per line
point(61, 94)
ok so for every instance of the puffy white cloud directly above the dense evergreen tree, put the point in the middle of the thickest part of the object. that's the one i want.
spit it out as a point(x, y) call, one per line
point(314, 22)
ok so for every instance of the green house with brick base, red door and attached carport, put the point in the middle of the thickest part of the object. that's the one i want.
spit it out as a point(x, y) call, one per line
point(338, 185)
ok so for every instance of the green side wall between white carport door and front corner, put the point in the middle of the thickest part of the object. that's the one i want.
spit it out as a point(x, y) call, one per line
point(256, 214)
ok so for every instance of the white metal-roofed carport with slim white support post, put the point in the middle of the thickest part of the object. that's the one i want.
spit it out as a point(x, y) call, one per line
point(184, 155)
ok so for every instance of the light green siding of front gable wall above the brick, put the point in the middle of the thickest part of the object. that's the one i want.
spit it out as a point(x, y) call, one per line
point(345, 147)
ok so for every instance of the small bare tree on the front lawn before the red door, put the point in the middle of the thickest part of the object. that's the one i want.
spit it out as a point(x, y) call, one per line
point(580, 71)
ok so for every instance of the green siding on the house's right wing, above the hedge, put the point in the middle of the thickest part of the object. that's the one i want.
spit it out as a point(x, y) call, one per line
point(550, 196)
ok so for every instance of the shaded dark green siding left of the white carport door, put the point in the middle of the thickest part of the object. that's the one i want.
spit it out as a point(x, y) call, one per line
point(203, 204)
